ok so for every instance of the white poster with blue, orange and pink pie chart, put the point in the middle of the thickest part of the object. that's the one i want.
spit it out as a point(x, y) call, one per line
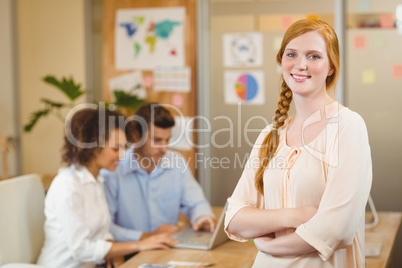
point(246, 87)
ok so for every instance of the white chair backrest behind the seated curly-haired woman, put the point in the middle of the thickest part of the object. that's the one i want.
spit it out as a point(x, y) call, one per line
point(21, 219)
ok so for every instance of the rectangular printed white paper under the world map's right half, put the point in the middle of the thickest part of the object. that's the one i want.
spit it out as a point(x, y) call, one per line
point(173, 79)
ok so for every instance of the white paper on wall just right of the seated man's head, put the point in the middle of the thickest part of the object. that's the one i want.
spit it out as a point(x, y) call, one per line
point(182, 135)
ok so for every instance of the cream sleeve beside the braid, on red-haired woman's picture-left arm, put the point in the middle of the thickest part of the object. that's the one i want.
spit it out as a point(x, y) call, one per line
point(245, 193)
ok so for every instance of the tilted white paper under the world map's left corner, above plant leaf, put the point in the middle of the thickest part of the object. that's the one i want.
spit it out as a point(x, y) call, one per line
point(128, 83)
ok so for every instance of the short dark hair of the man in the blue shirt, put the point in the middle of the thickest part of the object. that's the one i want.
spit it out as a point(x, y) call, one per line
point(155, 114)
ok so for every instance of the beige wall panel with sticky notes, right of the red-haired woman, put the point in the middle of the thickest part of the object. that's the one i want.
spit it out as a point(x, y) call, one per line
point(373, 92)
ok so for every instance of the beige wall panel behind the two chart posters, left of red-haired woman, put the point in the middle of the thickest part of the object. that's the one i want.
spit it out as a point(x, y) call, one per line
point(247, 16)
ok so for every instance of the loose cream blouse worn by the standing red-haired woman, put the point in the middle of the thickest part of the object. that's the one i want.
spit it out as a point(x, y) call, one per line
point(332, 172)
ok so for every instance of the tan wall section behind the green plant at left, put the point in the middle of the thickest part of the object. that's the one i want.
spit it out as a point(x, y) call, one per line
point(50, 41)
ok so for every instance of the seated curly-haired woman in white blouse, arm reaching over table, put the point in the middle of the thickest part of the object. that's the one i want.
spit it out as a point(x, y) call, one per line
point(77, 218)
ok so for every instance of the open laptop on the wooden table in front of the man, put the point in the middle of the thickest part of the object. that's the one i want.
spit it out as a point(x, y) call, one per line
point(204, 240)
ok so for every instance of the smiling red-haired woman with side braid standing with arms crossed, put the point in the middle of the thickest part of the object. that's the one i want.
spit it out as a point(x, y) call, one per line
point(303, 192)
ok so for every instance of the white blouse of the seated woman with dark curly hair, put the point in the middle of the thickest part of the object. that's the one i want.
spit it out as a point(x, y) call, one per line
point(77, 221)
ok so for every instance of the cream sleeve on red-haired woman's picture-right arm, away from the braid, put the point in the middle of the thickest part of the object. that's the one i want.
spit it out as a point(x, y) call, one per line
point(348, 183)
